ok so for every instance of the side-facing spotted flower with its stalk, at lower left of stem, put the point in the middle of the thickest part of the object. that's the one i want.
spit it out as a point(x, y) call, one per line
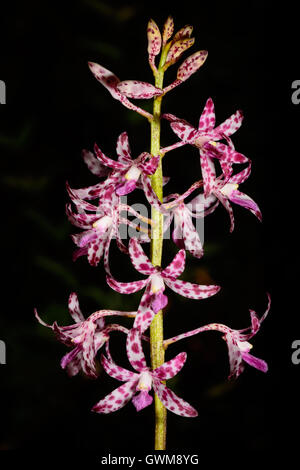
point(85, 336)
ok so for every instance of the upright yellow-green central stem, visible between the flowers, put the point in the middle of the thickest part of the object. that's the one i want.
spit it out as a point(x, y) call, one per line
point(156, 328)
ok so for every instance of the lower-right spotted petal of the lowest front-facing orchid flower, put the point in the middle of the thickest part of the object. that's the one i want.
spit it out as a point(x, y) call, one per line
point(172, 402)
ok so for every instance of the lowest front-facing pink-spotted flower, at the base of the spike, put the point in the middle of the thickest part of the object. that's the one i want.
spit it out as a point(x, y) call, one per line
point(138, 384)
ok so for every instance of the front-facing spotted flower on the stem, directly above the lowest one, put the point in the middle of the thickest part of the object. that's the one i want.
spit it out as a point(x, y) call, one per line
point(153, 298)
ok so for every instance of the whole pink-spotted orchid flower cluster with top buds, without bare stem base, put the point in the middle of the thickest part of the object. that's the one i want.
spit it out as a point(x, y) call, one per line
point(100, 212)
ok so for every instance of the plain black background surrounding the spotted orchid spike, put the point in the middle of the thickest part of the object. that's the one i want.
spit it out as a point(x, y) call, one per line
point(54, 109)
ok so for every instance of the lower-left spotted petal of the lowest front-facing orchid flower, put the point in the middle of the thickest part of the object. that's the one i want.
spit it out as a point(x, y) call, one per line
point(116, 399)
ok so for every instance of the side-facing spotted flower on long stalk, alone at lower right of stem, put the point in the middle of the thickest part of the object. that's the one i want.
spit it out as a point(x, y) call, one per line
point(237, 342)
